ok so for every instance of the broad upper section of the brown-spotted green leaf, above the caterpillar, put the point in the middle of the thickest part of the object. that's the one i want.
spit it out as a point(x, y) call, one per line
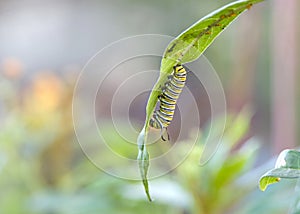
point(190, 44)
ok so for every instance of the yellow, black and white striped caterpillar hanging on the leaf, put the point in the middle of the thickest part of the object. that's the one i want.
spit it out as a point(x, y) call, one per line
point(170, 92)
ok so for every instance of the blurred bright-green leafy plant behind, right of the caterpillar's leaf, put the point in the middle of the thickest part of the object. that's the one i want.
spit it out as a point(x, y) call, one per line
point(214, 186)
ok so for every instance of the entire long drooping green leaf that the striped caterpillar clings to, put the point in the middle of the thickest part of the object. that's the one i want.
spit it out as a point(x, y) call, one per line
point(187, 47)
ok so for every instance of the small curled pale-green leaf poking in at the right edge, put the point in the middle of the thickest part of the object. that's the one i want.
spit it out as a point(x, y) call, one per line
point(287, 166)
